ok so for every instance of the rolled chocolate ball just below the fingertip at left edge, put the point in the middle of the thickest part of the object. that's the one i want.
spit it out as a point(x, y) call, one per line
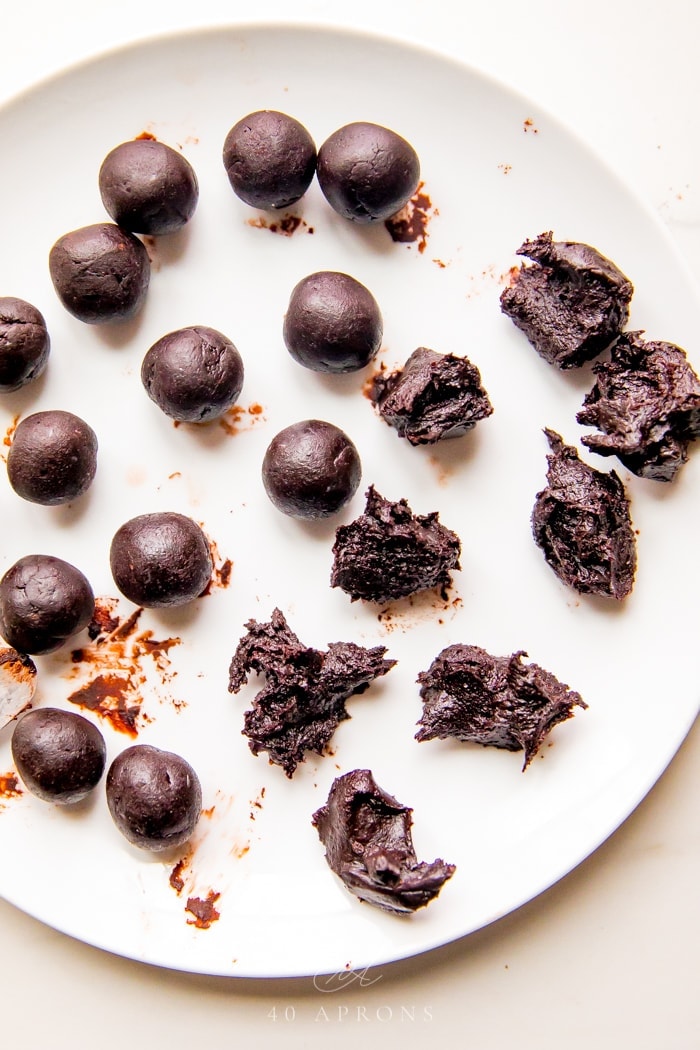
point(60, 755)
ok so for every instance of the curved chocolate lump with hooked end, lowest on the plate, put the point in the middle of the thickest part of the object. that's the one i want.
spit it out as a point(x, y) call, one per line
point(367, 834)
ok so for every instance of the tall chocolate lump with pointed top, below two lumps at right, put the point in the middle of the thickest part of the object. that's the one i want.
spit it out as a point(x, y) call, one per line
point(582, 523)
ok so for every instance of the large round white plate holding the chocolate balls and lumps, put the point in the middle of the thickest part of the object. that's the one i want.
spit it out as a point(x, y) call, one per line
point(497, 173)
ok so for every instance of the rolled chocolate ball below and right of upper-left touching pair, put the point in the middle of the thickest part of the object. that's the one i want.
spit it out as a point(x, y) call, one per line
point(194, 374)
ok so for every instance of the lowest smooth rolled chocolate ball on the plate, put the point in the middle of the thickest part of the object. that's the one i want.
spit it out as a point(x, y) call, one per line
point(155, 797)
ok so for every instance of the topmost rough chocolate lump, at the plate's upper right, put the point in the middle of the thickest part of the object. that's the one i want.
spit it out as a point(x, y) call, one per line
point(571, 304)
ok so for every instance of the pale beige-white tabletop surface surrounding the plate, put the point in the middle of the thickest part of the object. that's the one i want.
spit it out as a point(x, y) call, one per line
point(609, 957)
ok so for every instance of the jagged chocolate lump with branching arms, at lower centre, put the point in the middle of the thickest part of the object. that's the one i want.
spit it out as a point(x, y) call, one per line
point(304, 698)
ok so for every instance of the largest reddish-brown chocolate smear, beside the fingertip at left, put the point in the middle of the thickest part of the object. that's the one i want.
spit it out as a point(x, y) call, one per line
point(115, 691)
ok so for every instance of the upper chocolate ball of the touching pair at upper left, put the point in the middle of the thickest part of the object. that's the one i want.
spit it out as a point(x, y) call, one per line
point(147, 187)
